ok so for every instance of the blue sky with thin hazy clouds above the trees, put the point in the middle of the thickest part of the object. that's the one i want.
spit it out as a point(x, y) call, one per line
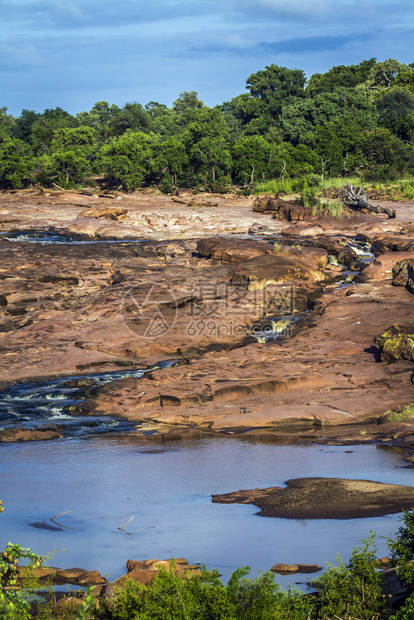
point(73, 53)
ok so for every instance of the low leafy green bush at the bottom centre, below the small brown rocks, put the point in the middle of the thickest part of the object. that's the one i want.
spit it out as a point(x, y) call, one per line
point(169, 597)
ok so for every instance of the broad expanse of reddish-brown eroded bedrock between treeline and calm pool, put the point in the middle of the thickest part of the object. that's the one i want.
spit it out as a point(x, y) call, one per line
point(196, 295)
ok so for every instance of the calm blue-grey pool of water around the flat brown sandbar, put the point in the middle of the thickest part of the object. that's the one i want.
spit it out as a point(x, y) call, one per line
point(167, 489)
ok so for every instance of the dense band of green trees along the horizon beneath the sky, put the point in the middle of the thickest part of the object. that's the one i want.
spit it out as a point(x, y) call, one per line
point(351, 120)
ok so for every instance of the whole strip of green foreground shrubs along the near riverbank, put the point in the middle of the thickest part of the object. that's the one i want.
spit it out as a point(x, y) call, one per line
point(348, 591)
